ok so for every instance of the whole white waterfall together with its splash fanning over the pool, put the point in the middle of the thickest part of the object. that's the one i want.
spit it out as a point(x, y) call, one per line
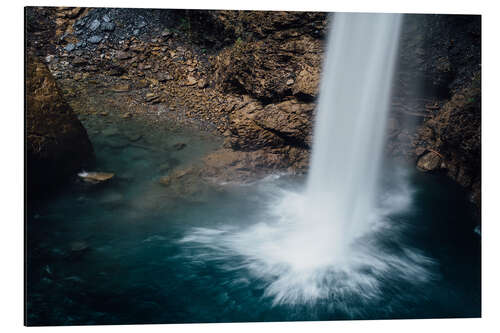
point(323, 242)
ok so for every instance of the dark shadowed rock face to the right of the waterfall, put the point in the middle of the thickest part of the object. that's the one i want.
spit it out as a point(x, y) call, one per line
point(436, 107)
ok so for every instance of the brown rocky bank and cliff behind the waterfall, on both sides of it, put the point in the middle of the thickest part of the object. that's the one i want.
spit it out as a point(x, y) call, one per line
point(252, 78)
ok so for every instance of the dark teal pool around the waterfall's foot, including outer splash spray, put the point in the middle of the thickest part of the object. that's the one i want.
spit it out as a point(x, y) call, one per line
point(141, 254)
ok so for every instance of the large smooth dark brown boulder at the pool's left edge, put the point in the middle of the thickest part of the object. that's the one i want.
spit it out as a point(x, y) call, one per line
point(57, 143)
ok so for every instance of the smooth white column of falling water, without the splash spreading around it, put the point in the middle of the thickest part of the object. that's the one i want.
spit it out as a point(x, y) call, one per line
point(351, 118)
